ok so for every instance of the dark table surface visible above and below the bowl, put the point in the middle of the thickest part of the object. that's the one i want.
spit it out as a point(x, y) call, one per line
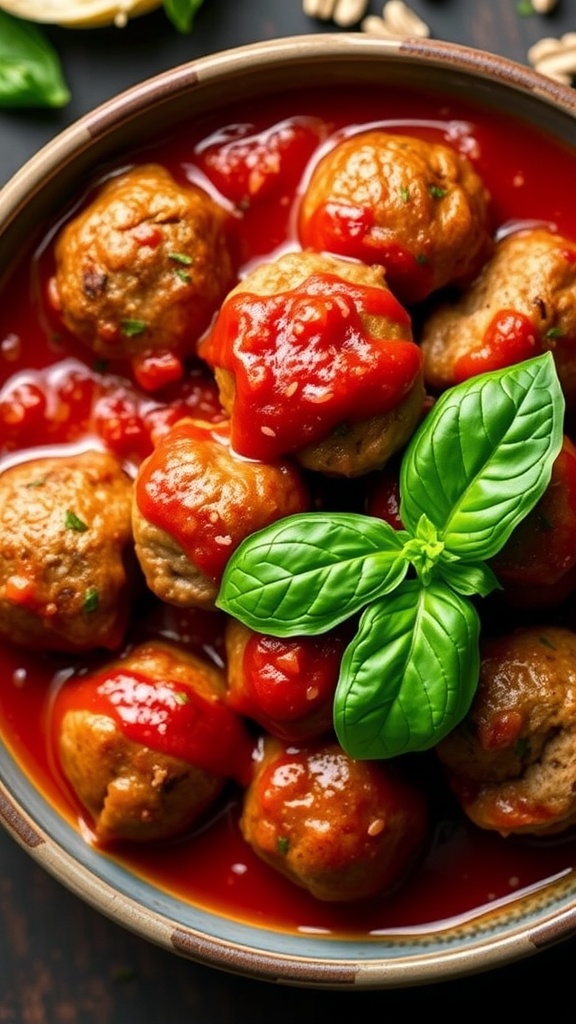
point(61, 962)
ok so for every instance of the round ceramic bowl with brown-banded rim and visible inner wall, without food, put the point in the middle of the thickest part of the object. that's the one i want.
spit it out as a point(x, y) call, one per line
point(528, 920)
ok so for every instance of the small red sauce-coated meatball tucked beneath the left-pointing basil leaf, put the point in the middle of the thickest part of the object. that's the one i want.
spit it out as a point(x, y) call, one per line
point(285, 686)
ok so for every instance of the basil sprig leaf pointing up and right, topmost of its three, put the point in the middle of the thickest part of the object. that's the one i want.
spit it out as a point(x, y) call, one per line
point(483, 457)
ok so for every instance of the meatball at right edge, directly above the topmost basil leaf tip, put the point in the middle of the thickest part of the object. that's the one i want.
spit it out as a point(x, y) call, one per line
point(523, 303)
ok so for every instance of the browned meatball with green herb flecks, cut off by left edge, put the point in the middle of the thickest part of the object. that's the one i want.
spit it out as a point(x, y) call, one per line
point(67, 566)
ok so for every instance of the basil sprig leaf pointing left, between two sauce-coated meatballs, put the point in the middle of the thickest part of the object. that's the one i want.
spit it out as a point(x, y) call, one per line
point(309, 573)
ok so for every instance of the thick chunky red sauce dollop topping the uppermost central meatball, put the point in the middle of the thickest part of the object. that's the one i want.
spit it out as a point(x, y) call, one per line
point(315, 333)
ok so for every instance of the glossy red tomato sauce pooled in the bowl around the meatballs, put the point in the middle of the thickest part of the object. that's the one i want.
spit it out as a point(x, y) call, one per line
point(53, 393)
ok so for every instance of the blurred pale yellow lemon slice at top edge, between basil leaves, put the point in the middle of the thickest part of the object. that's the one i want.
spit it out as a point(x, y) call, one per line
point(79, 14)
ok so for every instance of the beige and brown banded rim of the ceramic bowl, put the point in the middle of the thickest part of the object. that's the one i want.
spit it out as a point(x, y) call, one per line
point(24, 812)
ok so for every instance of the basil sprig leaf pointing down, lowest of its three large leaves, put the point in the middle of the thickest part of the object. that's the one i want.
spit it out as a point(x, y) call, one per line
point(410, 674)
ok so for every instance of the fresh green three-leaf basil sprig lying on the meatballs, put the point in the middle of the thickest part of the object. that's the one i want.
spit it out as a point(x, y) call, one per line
point(478, 464)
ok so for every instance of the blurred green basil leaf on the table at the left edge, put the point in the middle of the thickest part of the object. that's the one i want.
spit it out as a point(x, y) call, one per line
point(30, 69)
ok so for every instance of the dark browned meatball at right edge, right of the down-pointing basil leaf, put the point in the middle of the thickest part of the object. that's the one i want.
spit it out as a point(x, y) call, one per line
point(512, 761)
